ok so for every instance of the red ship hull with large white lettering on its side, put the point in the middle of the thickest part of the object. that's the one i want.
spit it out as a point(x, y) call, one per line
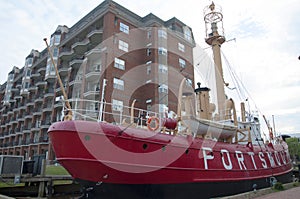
point(132, 157)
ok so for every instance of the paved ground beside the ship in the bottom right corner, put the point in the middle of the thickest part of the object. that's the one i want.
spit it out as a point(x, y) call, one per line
point(293, 193)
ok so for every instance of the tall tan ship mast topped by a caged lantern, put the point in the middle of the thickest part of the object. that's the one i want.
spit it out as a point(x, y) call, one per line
point(213, 17)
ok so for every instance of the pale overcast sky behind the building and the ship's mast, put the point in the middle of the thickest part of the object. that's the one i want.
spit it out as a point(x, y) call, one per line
point(265, 52)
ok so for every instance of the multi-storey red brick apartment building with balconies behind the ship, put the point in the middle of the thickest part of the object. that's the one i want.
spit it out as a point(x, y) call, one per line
point(141, 58)
